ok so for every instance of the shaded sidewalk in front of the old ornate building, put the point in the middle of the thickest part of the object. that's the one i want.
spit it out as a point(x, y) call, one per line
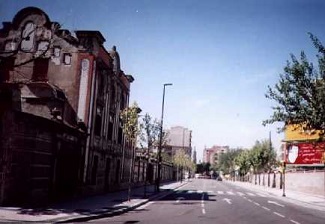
point(84, 209)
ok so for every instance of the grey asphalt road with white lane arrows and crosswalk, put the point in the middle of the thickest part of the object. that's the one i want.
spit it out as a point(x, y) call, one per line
point(210, 201)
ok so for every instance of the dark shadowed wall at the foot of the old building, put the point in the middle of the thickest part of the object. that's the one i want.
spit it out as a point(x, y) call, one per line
point(41, 159)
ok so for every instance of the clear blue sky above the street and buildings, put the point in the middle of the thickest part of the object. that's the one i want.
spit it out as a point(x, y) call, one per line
point(219, 55)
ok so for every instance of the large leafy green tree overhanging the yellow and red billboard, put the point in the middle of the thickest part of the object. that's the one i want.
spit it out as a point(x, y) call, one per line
point(300, 92)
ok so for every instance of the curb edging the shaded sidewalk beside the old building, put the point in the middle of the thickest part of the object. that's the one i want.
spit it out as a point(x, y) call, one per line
point(82, 218)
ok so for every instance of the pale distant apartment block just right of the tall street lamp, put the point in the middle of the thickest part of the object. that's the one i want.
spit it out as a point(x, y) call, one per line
point(178, 138)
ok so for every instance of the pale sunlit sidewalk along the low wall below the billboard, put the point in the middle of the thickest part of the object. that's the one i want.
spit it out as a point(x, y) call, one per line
point(303, 199)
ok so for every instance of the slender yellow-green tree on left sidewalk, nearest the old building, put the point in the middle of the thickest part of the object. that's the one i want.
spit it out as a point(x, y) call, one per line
point(131, 130)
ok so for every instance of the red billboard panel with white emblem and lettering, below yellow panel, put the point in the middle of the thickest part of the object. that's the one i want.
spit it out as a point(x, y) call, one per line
point(305, 153)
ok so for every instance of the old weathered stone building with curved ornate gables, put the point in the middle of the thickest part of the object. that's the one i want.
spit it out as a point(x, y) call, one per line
point(61, 95)
